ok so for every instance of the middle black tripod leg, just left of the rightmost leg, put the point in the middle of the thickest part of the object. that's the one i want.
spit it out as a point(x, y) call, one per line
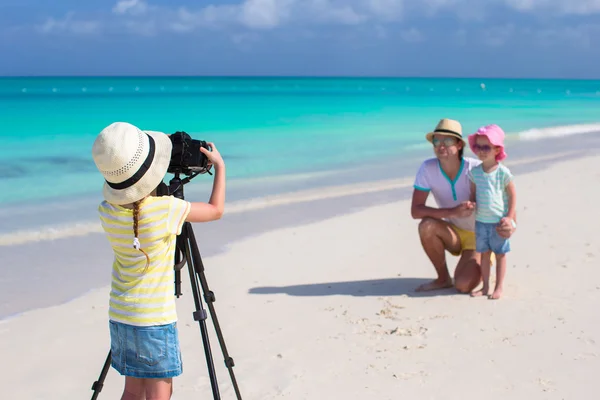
point(200, 313)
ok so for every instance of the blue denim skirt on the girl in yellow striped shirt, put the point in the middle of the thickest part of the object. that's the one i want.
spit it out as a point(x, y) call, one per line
point(145, 351)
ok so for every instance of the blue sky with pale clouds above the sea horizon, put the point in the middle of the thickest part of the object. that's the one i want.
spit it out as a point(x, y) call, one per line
point(483, 38)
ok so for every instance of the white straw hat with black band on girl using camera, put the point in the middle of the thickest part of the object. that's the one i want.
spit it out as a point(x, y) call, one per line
point(133, 162)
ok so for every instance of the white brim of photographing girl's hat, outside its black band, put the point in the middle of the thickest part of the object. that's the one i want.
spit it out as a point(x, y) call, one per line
point(151, 179)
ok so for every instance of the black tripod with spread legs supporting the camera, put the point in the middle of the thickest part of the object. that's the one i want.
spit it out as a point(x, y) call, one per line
point(186, 244)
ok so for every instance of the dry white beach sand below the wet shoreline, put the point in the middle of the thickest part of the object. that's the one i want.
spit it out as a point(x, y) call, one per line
point(327, 311)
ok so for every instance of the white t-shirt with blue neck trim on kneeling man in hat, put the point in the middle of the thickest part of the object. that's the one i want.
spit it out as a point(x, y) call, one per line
point(448, 193)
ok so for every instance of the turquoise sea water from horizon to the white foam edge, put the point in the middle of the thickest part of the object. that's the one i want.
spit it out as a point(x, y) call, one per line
point(271, 131)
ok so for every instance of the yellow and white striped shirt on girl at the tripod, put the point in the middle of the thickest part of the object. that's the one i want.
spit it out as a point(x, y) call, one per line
point(137, 297)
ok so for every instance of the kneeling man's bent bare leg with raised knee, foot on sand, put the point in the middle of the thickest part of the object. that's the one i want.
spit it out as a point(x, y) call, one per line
point(437, 236)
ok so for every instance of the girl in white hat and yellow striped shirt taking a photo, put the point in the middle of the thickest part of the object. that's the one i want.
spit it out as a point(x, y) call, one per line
point(142, 229)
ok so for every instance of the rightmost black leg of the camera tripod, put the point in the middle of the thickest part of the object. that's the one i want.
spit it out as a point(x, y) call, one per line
point(209, 297)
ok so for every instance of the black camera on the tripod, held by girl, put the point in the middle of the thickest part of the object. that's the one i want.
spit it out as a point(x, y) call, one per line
point(186, 157)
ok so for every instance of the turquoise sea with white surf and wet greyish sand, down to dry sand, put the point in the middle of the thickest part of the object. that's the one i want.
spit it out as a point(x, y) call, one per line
point(277, 135)
